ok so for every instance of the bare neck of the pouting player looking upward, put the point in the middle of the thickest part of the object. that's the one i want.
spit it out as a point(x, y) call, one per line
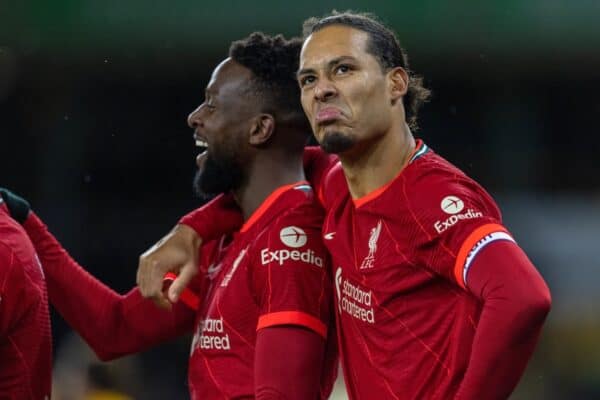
point(379, 162)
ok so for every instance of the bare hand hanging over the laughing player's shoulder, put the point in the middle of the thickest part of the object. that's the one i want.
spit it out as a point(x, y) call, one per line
point(176, 252)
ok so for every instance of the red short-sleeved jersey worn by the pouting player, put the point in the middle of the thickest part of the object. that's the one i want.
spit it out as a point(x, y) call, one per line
point(401, 257)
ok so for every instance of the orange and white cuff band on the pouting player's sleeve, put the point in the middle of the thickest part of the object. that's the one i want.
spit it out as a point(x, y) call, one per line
point(473, 244)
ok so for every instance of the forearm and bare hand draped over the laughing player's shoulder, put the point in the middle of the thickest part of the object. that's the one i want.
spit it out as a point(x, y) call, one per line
point(177, 252)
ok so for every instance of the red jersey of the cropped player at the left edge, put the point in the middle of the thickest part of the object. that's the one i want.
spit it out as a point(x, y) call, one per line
point(25, 337)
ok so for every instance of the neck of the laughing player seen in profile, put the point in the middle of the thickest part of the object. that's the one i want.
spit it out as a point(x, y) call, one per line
point(269, 171)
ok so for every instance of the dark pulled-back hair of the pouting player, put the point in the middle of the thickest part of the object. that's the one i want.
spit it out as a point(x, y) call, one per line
point(385, 47)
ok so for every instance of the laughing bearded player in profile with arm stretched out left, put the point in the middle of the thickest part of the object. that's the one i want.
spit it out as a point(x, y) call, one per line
point(259, 306)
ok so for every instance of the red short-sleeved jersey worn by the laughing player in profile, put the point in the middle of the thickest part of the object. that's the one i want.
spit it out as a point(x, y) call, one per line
point(274, 271)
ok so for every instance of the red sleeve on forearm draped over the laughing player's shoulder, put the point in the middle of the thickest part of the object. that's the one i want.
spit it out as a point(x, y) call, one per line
point(216, 218)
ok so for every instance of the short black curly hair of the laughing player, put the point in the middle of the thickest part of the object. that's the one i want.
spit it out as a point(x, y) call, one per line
point(274, 61)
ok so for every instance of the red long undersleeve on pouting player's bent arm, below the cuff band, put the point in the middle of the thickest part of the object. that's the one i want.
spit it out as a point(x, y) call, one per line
point(516, 301)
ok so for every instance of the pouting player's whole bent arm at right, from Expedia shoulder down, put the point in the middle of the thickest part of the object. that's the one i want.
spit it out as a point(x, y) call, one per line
point(464, 240)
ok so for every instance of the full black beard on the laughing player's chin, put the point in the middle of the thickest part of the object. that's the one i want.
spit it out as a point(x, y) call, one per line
point(218, 175)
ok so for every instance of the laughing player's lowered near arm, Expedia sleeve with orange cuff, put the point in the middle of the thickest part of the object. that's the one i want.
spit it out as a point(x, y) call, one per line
point(293, 292)
